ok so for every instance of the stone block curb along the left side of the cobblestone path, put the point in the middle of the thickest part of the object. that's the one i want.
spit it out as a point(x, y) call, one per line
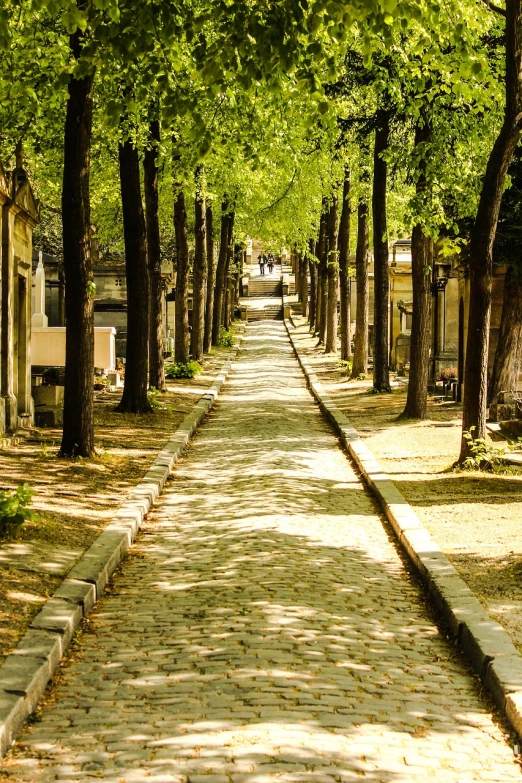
point(25, 673)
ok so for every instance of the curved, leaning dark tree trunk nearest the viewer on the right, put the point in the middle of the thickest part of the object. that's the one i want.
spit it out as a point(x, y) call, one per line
point(483, 236)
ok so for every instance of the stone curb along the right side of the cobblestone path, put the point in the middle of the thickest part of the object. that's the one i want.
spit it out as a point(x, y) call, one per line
point(487, 646)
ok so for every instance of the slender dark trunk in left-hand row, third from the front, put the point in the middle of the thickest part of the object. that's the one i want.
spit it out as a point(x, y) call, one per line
point(156, 329)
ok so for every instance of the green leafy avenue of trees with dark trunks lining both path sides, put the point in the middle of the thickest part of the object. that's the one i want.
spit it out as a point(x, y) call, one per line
point(174, 129)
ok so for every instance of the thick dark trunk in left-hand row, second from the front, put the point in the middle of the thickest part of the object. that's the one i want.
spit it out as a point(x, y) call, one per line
point(134, 398)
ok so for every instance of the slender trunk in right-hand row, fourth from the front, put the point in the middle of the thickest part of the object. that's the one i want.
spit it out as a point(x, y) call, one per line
point(360, 348)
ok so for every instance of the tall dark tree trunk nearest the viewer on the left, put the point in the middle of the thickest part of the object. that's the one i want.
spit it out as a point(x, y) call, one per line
point(78, 417)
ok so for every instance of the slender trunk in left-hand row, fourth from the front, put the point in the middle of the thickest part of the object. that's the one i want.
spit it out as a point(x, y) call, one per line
point(181, 337)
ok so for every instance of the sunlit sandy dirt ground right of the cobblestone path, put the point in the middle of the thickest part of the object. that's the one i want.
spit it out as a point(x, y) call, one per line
point(476, 517)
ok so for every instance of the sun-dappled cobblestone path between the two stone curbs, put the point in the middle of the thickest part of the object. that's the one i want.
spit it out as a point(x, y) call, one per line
point(264, 628)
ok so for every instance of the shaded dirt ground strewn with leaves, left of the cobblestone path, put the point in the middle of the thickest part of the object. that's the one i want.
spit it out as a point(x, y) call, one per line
point(74, 500)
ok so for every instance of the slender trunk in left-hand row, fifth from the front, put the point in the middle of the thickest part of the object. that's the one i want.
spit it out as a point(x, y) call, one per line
point(199, 274)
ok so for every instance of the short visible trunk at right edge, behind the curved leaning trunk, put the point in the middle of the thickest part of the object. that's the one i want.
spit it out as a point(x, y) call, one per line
point(508, 354)
